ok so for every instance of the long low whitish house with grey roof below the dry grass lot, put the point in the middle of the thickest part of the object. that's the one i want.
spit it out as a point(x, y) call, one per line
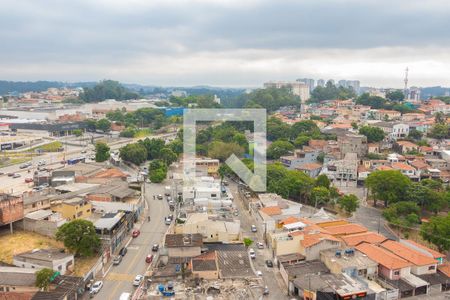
point(54, 259)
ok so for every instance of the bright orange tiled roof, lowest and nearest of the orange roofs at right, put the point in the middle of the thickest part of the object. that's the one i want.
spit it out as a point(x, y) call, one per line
point(382, 256)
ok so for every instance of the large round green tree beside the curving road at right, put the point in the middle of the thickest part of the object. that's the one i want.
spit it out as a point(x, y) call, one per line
point(389, 186)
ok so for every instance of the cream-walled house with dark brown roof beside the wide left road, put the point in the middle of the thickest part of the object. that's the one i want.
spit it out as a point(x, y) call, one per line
point(183, 245)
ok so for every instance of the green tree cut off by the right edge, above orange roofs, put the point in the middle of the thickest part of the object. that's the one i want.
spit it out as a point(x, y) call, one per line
point(437, 232)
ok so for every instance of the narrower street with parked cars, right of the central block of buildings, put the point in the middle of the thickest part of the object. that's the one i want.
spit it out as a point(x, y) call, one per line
point(269, 274)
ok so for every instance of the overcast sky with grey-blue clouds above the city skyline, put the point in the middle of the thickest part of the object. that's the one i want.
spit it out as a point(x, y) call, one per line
point(226, 42)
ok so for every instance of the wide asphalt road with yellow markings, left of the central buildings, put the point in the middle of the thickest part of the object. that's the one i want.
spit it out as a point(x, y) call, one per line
point(119, 278)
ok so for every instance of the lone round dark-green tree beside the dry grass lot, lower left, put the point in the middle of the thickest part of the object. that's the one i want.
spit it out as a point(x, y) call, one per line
point(79, 237)
